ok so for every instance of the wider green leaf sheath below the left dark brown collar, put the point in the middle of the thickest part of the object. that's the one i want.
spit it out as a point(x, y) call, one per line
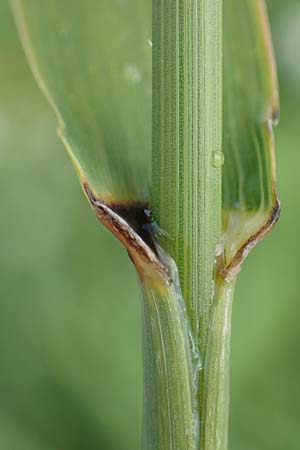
point(170, 369)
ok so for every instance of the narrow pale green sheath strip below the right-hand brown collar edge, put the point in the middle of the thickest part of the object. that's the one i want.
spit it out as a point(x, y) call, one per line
point(216, 370)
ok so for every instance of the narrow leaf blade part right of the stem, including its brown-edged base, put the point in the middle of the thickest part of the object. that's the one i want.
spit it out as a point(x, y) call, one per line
point(250, 108)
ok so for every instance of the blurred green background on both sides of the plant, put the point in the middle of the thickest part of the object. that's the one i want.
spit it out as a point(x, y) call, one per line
point(70, 357)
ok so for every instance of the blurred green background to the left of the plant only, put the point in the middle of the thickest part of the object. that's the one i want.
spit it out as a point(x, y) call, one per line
point(70, 377)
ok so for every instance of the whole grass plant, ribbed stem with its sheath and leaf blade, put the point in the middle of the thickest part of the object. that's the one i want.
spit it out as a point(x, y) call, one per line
point(93, 62)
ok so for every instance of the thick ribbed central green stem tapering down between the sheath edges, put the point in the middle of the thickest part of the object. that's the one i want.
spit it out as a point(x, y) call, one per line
point(187, 156)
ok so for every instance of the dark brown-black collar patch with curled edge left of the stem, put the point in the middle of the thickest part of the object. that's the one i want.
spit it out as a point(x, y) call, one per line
point(127, 222)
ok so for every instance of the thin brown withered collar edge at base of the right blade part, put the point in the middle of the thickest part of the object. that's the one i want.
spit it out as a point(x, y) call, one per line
point(229, 272)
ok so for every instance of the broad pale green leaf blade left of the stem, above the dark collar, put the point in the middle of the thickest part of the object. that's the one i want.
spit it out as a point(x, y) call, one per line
point(92, 59)
